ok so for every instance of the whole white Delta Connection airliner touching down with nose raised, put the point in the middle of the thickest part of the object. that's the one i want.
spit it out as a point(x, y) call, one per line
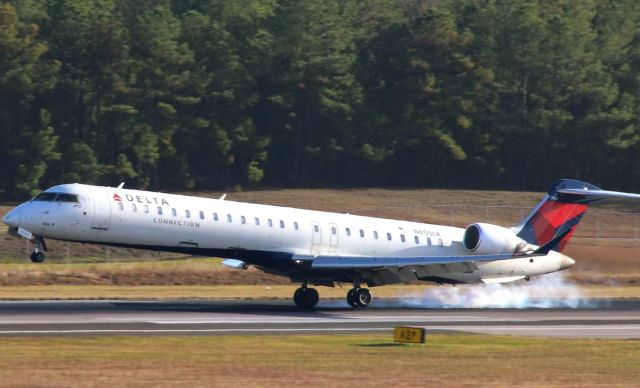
point(311, 246)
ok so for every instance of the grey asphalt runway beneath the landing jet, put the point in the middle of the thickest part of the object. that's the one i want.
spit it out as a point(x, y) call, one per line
point(612, 319)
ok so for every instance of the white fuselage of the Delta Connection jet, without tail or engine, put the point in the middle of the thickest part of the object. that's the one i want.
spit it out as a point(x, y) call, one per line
point(262, 235)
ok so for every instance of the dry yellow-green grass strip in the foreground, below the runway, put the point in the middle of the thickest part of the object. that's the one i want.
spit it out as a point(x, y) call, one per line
point(340, 360)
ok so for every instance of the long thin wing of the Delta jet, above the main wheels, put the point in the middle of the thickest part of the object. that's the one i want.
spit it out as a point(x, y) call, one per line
point(371, 262)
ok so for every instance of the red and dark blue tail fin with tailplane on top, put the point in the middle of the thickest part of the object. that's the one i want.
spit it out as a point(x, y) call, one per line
point(560, 211)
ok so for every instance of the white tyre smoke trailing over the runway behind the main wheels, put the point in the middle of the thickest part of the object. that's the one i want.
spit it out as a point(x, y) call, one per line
point(549, 291)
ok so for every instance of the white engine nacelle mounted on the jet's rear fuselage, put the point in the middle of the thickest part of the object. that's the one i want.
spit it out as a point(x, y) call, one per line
point(487, 239)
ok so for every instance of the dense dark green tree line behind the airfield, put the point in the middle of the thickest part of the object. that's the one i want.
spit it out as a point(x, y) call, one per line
point(202, 94)
